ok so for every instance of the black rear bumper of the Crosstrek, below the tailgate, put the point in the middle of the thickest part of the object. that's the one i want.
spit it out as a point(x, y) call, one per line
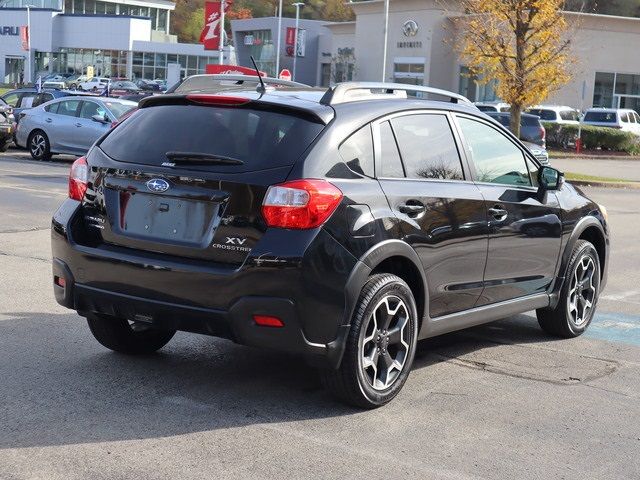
point(311, 302)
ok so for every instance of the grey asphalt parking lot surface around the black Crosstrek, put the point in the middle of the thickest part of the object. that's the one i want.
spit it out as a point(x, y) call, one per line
point(494, 402)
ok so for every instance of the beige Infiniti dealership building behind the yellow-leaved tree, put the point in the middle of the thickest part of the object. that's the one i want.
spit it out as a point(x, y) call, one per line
point(421, 50)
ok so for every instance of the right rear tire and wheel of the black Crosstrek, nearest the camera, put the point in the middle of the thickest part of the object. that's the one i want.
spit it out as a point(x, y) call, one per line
point(353, 382)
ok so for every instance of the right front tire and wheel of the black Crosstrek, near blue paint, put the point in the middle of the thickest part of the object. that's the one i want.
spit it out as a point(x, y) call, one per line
point(570, 318)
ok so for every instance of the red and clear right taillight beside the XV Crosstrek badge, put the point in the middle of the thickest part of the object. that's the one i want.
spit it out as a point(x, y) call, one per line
point(300, 204)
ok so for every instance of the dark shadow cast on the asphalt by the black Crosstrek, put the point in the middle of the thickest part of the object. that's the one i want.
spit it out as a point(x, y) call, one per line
point(59, 386)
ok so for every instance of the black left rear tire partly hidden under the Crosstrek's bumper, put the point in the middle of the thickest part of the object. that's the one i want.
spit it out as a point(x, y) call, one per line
point(118, 335)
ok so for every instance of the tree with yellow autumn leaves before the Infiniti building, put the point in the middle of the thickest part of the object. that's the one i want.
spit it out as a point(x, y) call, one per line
point(522, 44)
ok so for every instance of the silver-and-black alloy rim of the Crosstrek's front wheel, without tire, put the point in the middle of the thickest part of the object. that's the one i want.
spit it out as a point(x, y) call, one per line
point(582, 292)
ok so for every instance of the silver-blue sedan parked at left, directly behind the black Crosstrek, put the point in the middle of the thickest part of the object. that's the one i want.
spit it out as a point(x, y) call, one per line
point(68, 125)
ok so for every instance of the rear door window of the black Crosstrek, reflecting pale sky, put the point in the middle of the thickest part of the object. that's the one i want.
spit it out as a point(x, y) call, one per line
point(427, 147)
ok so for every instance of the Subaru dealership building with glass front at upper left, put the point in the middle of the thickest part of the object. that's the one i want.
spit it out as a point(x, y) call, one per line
point(118, 38)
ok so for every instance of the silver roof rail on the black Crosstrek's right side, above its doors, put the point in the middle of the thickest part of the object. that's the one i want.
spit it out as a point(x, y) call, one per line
point(359, 91)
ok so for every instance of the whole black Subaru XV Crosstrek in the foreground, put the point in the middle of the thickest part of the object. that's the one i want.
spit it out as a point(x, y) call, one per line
point(343, 228)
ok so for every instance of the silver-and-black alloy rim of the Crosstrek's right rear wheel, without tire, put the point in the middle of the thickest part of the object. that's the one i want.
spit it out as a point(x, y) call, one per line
point(385, 346)
